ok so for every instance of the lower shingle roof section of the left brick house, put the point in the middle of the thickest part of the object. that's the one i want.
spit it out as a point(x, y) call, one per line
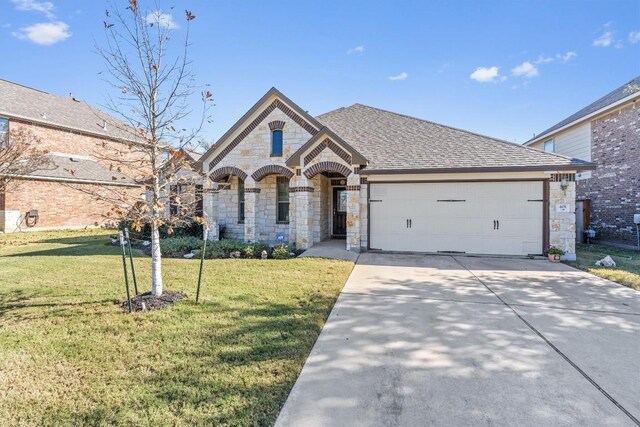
point(78, 168)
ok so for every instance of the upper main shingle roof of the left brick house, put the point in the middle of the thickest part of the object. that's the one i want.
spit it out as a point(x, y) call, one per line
point(61, 111)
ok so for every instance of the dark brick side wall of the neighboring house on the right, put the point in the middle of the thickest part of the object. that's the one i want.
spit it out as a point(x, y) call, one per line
point(614, 188)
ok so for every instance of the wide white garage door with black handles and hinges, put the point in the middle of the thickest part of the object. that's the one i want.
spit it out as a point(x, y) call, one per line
point(472, 217)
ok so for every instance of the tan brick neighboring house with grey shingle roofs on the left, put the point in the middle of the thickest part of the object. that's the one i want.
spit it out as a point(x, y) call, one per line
point(75, 135)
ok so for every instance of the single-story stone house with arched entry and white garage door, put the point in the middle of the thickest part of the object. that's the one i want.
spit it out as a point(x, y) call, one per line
point(385, 181)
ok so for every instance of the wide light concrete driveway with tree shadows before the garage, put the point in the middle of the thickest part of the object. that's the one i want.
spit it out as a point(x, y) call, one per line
point(419, 340)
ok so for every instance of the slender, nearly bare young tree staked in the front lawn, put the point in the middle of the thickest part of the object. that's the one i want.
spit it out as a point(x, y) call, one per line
point(153, 86)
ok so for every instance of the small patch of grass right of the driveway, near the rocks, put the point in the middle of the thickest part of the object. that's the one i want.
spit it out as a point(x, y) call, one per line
point(627, 271)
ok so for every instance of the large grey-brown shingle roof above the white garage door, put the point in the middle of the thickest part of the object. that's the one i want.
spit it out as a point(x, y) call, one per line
point(392, 141)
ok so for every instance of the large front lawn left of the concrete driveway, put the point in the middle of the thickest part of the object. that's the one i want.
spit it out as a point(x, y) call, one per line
point(69, 356)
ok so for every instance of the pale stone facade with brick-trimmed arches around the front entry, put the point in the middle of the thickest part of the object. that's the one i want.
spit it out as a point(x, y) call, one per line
point(310, 195)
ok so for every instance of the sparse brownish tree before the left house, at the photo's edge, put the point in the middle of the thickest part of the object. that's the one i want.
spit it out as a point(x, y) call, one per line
point(20, 156)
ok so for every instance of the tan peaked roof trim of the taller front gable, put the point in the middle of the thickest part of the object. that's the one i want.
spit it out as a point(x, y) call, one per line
point(273, 99)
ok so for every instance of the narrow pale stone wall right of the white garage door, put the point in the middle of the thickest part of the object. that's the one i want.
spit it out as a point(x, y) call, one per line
point(562, 225)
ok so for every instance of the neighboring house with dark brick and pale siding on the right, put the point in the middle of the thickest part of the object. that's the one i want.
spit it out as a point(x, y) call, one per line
point(607, 133)
